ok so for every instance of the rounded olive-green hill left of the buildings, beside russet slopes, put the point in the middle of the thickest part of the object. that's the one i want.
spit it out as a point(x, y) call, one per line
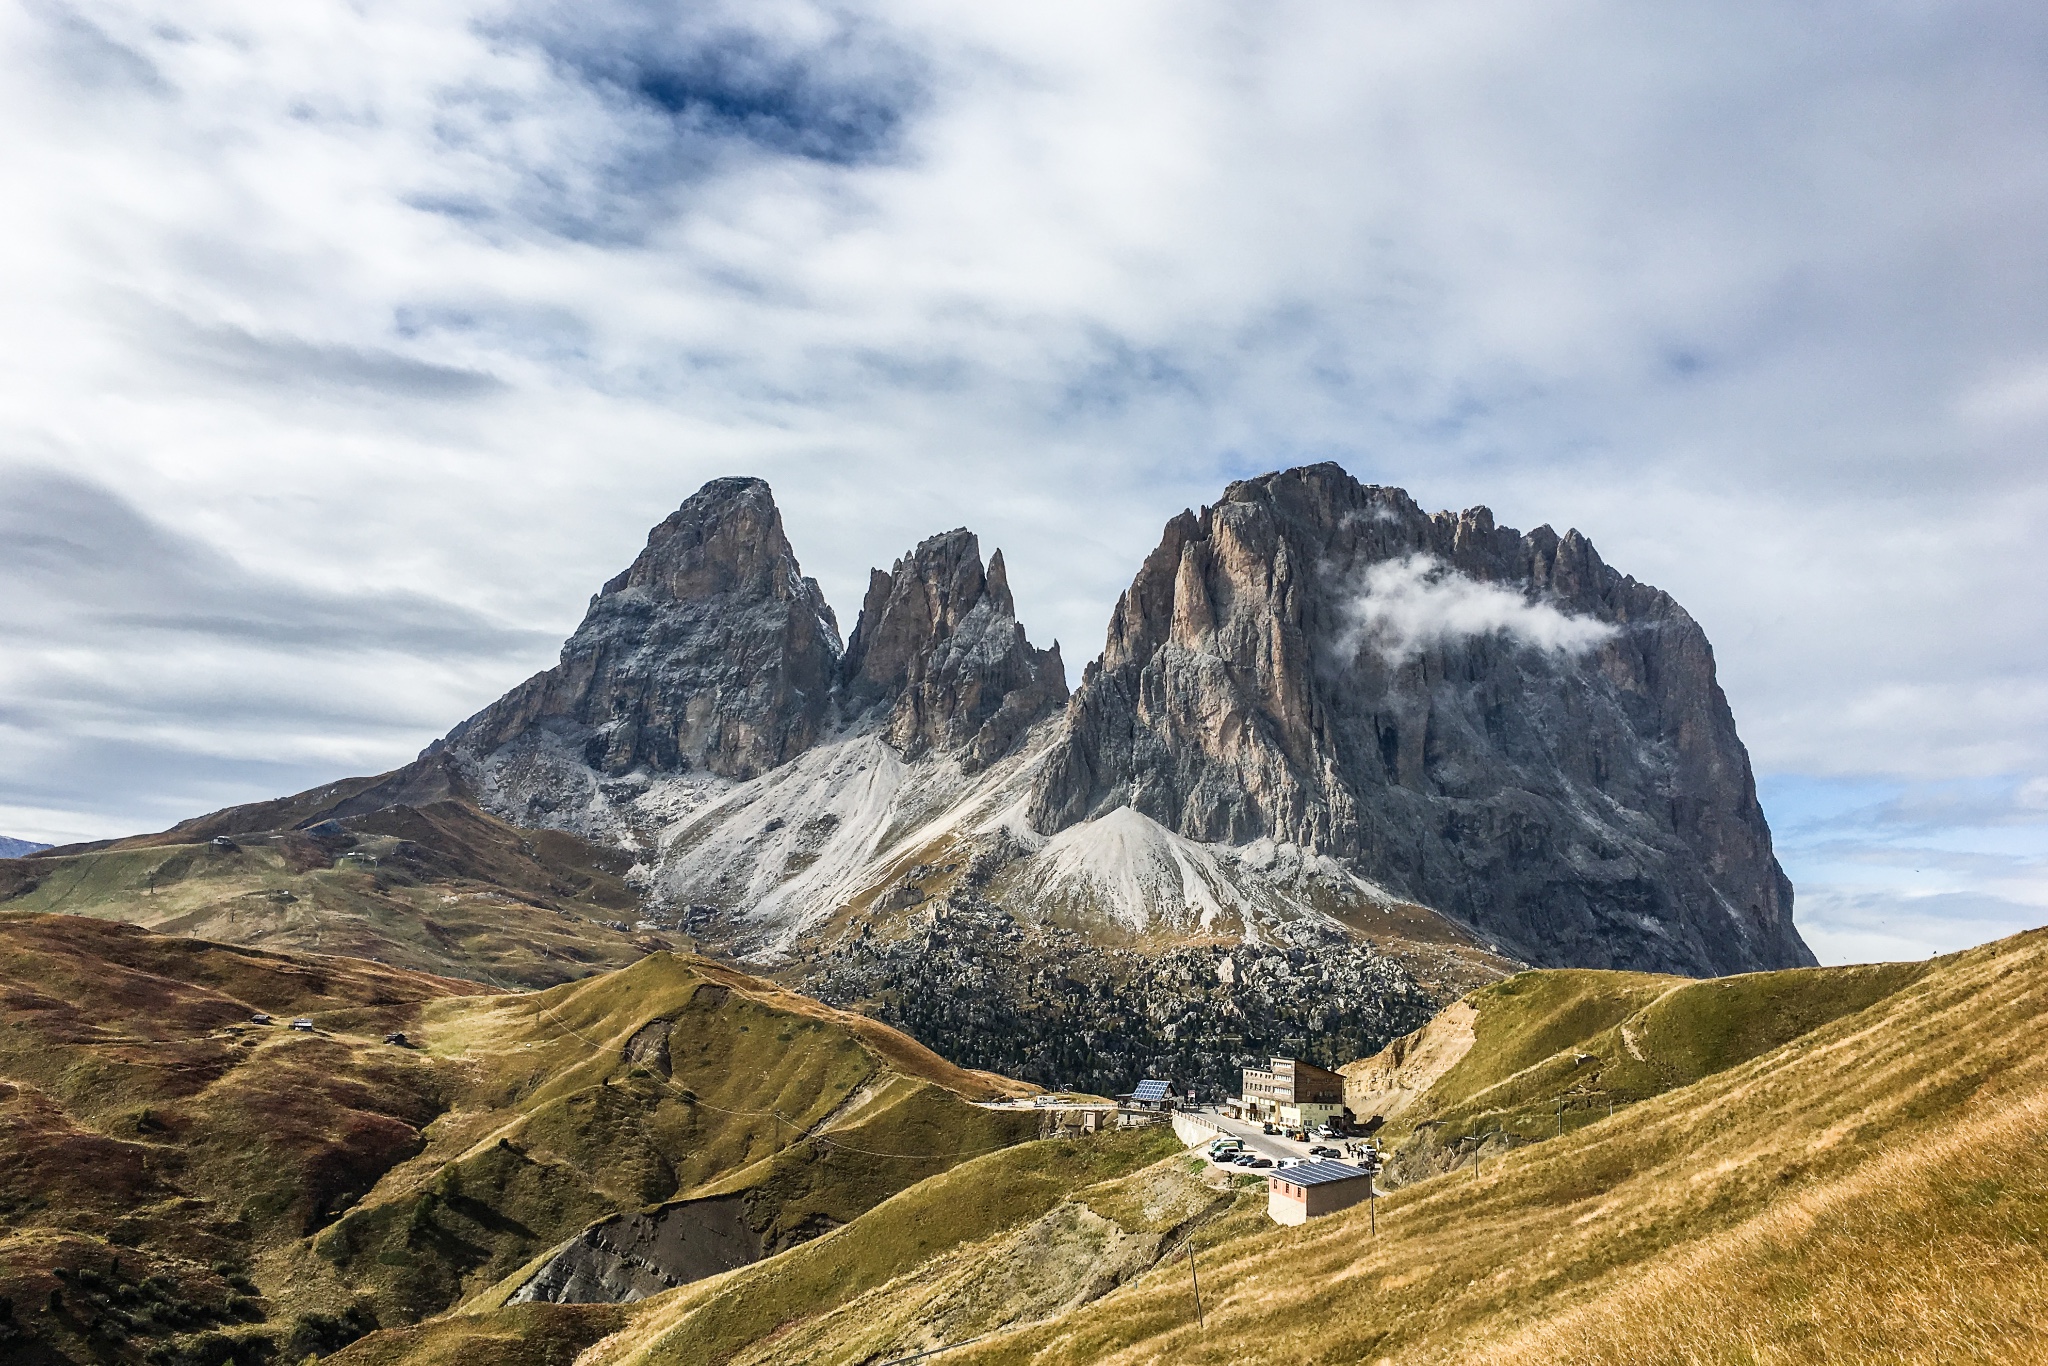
point(564, 1121)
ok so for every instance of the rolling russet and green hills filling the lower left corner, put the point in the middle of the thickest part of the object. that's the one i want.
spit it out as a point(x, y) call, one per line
point(181, 1181)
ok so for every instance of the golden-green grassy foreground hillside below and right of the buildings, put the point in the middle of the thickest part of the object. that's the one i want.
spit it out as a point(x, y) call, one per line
point(1820, 1166)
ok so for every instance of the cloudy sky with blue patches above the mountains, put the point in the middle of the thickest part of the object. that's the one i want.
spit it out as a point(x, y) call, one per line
point(351, 345)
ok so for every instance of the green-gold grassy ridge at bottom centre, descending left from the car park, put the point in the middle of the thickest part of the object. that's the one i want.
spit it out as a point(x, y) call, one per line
point(1011, 1236)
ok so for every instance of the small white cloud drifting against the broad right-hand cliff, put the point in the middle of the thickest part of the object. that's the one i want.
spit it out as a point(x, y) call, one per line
point(1416, 603)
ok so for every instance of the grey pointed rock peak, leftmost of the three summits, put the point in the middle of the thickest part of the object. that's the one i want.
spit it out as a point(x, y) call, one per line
point(710, 652)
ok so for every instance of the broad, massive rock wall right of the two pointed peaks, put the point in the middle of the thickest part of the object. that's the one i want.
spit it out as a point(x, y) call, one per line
point(1486, 722)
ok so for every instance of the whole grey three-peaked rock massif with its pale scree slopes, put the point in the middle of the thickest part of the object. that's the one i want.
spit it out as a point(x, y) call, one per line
point(1316, 699)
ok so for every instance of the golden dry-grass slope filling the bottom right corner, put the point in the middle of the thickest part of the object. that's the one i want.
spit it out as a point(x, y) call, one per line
point(1871, 1191)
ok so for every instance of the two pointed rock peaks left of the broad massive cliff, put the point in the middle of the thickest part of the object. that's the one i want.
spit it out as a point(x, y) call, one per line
point(714, 658)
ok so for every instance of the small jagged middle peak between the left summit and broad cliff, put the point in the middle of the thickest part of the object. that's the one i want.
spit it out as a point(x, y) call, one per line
point(941, 658)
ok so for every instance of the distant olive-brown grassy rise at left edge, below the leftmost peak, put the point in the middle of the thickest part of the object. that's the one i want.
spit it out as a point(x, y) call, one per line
point(439, 888)
